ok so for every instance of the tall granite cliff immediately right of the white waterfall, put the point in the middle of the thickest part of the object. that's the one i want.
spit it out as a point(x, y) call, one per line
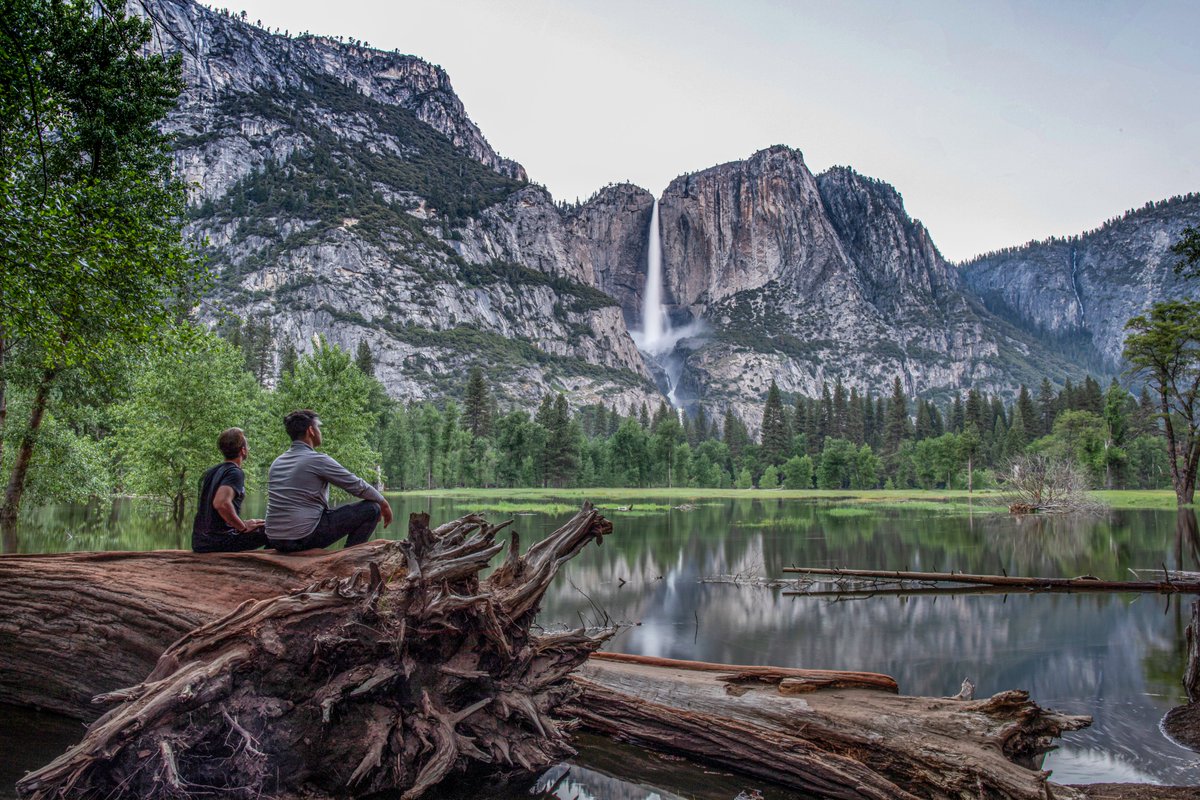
point(806, 279)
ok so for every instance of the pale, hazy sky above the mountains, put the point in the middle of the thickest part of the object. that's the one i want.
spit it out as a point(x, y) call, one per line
point(999, 123)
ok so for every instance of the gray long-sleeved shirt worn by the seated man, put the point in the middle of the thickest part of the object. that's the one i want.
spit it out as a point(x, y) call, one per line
point(298, 491)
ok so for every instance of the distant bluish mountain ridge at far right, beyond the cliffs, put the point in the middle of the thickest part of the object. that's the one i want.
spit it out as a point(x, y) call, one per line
point(1082, 291)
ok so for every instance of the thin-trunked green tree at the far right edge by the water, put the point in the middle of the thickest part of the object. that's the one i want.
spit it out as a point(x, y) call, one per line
point(1163, 348)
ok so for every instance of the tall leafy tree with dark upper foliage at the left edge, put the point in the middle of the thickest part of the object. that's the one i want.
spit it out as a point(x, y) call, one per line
point(93, 258)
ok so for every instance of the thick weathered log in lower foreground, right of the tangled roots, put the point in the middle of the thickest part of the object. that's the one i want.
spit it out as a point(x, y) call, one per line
point(841, 744)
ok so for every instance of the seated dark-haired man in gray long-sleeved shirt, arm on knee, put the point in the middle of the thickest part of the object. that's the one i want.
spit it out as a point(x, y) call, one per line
point(298, 514)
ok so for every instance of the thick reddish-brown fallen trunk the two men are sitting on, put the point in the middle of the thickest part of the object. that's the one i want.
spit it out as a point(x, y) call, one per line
point(75, 625)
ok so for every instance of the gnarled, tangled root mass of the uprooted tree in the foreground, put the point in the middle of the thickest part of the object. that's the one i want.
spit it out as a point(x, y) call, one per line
point(387, 681)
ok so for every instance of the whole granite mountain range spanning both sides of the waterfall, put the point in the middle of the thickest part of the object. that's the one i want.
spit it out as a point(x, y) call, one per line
point(345, 193)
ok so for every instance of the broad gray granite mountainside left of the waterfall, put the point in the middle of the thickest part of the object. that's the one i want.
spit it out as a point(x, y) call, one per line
point(346, 193)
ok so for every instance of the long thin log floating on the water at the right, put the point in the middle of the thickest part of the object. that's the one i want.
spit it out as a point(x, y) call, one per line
point(1083, 584)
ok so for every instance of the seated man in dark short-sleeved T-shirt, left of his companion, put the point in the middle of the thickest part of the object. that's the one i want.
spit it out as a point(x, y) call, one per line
point(219, 527)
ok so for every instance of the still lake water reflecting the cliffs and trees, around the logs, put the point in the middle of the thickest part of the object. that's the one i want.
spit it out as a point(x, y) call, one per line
point(1117, 658)
